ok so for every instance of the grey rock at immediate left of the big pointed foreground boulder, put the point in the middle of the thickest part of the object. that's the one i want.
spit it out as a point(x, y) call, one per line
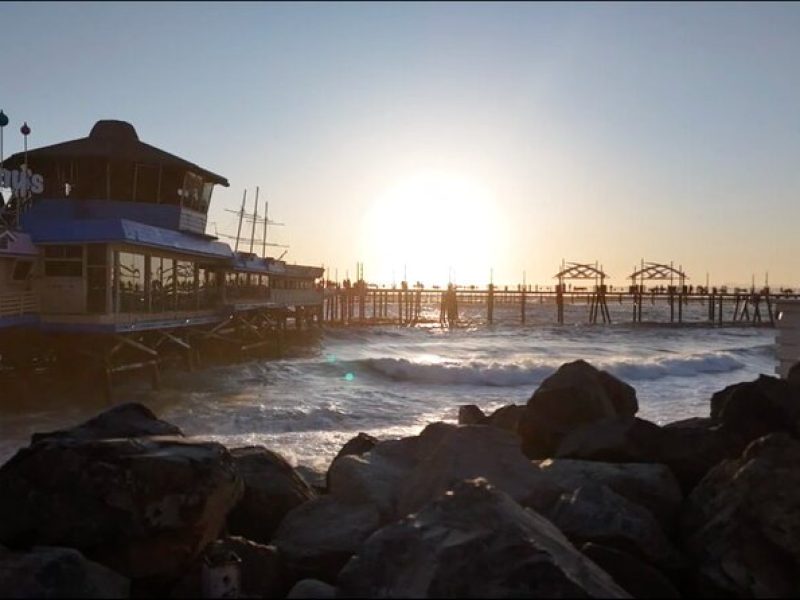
point(317, 538)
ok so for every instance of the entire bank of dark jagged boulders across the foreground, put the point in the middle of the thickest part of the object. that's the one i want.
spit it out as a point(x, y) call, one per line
point(571, 495)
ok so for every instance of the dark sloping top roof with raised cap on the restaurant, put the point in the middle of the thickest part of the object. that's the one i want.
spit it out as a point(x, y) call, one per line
point(115, 140)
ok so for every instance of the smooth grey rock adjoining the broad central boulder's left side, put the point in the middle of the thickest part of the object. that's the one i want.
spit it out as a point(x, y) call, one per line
point(378, 476)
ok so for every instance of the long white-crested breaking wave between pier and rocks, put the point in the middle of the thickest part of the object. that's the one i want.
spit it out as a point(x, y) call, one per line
point(495, 374)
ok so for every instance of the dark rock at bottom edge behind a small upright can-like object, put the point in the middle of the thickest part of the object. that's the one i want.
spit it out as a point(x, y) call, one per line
point(260, 571)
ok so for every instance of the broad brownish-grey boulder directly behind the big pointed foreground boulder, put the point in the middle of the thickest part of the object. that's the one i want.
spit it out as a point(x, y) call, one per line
point(472, 451)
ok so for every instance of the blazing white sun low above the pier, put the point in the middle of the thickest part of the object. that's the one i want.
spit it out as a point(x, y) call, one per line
point(434, 228)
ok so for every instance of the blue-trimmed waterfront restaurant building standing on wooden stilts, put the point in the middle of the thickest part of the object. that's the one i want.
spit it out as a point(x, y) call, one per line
point(126, 275)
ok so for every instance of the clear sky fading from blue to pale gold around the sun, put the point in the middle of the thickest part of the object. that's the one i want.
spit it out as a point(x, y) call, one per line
point(450, 141)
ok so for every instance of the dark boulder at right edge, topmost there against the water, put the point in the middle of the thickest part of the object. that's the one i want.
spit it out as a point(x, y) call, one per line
point(756, 408)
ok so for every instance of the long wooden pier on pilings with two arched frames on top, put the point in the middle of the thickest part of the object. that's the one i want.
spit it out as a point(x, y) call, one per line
point(362, 303)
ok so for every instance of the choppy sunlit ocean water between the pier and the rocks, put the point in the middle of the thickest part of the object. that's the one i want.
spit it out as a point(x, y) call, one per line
point(391, 381)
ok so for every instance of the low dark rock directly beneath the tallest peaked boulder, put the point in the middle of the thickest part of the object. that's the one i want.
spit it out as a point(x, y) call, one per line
point(613, 439)
